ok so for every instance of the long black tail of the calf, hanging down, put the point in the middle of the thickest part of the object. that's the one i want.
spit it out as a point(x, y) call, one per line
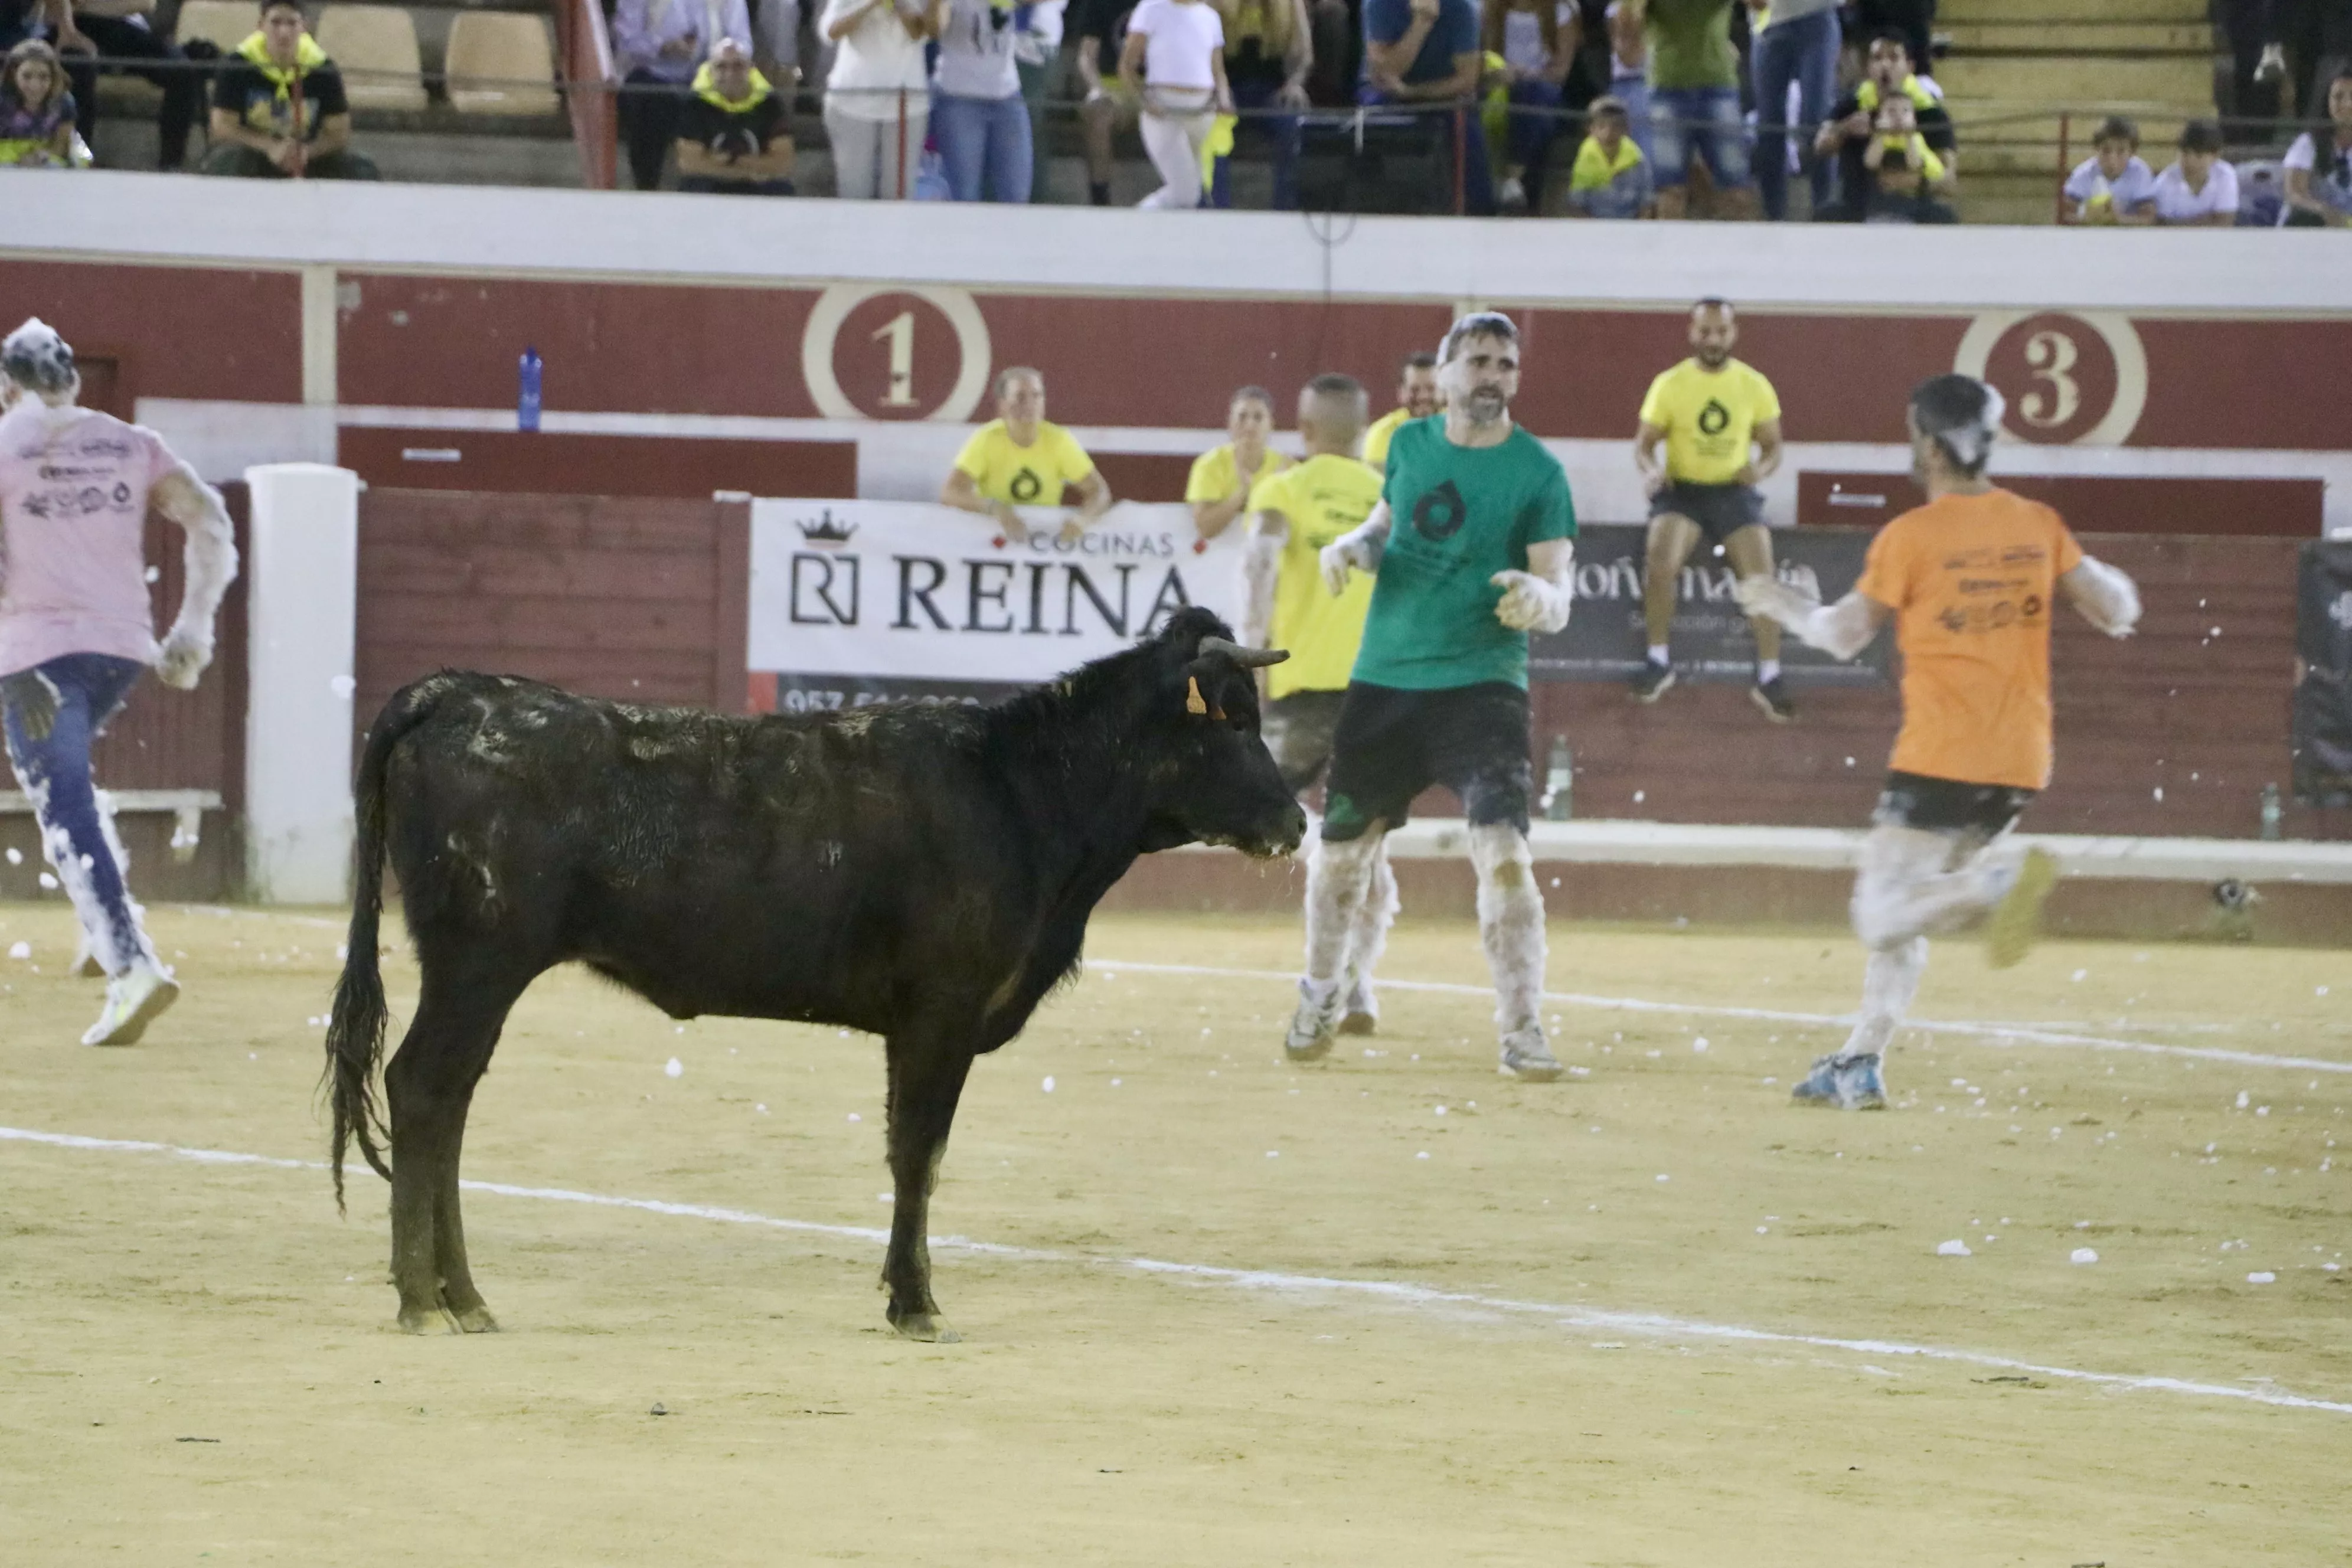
point(356, 1024)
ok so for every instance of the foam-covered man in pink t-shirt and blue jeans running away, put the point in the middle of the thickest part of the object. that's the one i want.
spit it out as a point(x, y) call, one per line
point(76, 634)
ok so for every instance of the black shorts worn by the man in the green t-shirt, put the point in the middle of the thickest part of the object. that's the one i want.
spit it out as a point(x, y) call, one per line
point(1394, 744)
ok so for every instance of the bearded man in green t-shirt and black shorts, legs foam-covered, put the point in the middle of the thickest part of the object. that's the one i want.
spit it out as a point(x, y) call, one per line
point(1469, 554)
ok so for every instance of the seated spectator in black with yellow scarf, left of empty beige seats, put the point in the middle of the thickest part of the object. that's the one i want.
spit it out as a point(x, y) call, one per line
point(279, 107)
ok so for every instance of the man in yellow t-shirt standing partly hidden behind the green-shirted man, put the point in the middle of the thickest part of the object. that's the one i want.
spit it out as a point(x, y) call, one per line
point(1285, 605)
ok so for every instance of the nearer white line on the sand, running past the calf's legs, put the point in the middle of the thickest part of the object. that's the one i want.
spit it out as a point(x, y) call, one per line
point(1394, 1292)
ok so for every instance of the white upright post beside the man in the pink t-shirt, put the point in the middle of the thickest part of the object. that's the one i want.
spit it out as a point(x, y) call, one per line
point(302, 603)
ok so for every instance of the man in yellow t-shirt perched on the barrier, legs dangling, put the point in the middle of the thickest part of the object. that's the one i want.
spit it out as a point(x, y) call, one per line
point(1720, 431)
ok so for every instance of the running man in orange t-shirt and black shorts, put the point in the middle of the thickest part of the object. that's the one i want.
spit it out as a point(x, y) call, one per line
point(1970, 582)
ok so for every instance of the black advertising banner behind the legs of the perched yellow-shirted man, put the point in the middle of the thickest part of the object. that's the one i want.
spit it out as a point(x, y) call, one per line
point(1711, 641)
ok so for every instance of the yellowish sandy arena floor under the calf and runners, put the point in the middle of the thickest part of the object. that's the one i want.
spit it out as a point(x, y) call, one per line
point(199, 1360)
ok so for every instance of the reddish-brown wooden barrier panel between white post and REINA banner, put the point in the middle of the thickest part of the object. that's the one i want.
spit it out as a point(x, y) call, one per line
point(624, 598)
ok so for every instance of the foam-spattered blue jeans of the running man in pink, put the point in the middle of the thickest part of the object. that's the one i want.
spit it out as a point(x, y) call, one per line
point(51, 716)
